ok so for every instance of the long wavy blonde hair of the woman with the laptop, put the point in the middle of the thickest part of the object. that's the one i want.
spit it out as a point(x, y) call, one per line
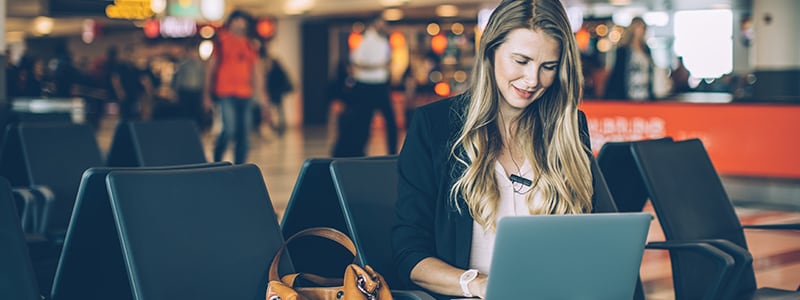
point(547, 129)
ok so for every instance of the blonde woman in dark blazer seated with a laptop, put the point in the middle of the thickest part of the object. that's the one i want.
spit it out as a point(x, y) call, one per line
point(514, 144)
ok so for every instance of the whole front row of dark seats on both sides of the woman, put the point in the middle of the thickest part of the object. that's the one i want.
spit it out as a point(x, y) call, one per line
point(172, 237)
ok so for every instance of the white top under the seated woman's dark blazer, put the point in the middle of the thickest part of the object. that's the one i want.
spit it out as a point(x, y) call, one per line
point(511, 204)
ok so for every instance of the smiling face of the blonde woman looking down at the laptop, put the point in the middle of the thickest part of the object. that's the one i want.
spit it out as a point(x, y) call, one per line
point(525, 65)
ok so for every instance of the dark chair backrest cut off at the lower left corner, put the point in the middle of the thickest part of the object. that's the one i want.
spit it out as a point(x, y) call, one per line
point(17, 278)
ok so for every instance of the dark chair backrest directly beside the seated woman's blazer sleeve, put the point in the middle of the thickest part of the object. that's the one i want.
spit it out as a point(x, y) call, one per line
point(367, 192)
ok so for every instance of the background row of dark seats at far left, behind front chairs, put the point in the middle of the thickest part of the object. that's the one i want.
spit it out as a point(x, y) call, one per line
point(44, 162)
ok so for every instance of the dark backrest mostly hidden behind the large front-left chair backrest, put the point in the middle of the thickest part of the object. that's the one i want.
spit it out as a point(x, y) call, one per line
point(91, 264)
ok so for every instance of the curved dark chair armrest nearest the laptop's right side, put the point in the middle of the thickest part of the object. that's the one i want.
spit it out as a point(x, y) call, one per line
point(723, 260)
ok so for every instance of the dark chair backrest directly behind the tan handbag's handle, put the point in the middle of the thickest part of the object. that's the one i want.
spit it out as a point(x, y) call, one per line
point(314, 203)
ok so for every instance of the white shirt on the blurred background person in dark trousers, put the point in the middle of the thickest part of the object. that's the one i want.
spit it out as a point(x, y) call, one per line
point(373, 51)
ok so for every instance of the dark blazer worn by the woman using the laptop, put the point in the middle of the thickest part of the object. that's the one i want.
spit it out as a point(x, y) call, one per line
point(427, 225)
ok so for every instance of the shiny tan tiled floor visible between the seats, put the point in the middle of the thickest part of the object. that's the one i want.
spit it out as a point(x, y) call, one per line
point(776, 254)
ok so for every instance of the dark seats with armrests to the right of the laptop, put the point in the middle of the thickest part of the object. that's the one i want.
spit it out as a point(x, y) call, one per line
point(709, 253)
